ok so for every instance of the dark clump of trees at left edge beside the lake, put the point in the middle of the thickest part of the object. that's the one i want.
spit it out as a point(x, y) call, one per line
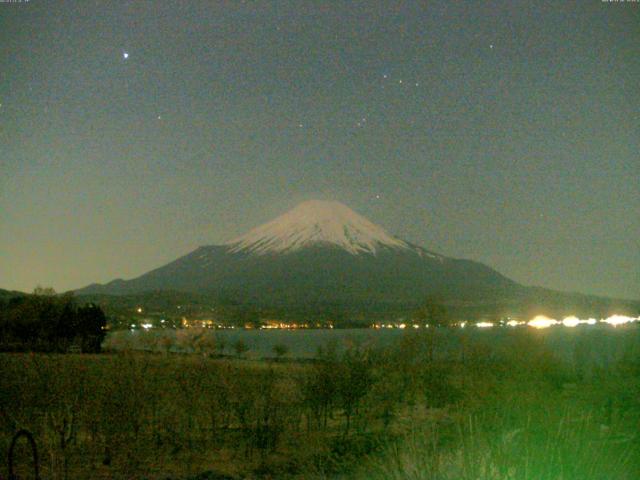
point(46, 322)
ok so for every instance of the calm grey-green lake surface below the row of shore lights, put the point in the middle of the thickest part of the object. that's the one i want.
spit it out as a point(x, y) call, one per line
point(599, 343)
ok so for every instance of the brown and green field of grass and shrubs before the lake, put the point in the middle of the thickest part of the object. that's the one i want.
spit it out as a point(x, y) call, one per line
point(512, 411)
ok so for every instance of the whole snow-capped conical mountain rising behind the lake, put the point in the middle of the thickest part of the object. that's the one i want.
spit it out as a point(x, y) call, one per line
point(324, 253)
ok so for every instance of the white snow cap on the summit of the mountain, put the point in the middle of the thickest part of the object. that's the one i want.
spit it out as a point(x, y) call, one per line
point(315, 222)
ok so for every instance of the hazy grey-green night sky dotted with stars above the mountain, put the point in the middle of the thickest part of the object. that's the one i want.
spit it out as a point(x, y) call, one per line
point(132, 132)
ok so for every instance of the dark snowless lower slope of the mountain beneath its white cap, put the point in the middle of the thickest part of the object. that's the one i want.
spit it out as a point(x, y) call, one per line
point(317, 274)
